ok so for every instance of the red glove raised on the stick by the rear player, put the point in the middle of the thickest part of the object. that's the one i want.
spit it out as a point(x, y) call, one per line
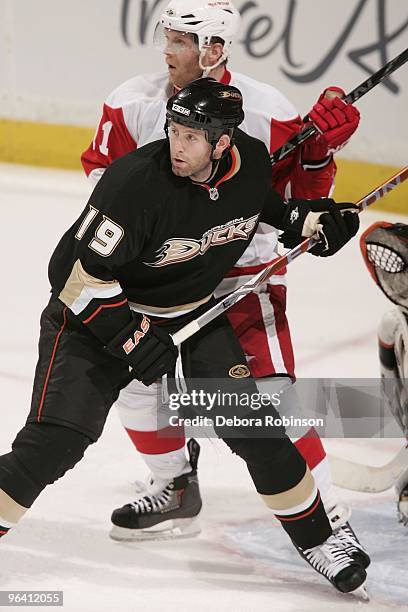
point(336, 122)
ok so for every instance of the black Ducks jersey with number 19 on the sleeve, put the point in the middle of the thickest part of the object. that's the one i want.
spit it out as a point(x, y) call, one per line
point(158, 240)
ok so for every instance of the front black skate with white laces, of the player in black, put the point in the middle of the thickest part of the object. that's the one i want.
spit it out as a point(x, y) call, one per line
point(332, 561)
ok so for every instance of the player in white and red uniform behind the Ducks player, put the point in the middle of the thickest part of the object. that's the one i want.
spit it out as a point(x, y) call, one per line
point(197, 37)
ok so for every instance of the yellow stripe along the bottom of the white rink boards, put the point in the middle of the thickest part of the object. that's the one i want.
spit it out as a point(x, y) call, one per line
point(60, 146)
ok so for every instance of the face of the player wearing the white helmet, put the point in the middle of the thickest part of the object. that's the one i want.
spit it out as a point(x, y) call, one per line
point(182, 58)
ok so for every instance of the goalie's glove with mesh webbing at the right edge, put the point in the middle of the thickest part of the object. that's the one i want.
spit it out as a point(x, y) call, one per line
point(385, 250)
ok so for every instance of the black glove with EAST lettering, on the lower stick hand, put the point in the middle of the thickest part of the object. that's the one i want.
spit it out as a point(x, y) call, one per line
point(148, 350)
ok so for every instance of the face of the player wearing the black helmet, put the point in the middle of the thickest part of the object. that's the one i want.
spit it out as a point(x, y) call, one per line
point(190, 152)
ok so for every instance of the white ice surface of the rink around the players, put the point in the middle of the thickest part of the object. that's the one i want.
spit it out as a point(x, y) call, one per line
point(242, 561)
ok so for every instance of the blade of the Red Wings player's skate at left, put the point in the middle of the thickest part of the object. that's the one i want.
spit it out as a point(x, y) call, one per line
point(168, 530)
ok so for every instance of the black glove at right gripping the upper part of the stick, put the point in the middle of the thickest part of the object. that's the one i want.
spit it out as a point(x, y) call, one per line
point(334, 223)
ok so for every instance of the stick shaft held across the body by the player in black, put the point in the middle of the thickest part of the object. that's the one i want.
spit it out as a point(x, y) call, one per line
point(194, 326)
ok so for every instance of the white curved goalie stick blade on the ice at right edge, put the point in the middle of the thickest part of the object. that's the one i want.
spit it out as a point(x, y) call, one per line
point(368, 478)
